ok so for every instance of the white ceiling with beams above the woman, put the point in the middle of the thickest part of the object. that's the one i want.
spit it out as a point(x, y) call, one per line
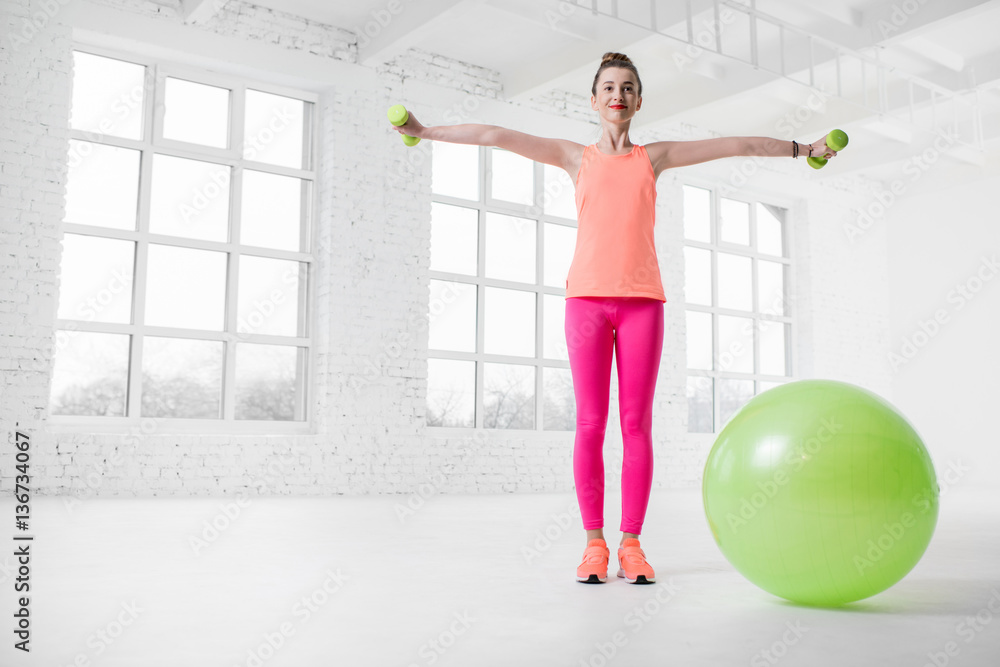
point(912, 48)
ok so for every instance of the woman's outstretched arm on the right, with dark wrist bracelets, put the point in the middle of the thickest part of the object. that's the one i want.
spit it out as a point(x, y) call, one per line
point(670, 154)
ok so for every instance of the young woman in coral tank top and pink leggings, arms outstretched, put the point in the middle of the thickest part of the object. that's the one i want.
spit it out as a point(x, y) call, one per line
point(614, 297)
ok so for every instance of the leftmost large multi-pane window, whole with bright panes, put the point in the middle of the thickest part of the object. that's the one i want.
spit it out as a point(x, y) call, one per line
point(185, 259)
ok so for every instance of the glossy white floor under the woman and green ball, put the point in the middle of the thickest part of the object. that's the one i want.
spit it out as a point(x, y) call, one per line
point(462, 580)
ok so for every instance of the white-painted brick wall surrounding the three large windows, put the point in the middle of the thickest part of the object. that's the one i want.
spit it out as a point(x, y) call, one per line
point(371, 275)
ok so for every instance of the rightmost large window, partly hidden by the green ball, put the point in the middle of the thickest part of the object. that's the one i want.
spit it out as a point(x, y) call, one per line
point(737, 303)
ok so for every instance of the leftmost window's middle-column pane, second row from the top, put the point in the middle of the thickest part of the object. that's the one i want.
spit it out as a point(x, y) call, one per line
point(189, 198)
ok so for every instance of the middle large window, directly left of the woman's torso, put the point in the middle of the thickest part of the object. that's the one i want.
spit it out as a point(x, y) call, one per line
point(503, 230)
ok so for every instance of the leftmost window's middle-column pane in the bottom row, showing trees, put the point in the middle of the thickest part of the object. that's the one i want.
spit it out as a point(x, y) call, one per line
point(181, 378)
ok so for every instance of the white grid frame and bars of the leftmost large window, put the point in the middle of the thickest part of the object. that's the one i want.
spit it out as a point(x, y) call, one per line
point(150, 144)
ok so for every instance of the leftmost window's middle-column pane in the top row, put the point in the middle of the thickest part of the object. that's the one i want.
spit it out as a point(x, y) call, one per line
point(196, 113)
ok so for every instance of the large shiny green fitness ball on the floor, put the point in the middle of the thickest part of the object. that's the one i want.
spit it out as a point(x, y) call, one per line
point(821, 493)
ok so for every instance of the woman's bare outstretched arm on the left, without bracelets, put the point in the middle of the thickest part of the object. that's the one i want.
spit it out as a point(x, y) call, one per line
point(557, 152)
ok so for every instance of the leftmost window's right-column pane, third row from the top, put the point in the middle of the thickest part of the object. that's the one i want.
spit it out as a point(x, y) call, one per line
point(270, 293)
